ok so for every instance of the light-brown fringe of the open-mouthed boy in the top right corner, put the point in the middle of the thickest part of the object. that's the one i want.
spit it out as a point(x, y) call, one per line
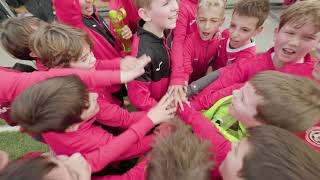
point(300, 13)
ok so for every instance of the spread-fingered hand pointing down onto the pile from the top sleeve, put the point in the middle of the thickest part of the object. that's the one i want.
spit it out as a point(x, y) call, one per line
point(179, 92)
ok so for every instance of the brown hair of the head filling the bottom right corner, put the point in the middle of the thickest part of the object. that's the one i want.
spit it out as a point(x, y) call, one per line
point(277, 154)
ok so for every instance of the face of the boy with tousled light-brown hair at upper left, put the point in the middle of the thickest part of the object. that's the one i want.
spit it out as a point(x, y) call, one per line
point(86, 61)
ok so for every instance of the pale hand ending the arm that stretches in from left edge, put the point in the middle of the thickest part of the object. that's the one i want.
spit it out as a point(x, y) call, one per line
point(133, 72)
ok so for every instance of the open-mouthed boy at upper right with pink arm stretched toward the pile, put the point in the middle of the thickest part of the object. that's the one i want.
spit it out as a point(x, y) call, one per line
point(292, 45)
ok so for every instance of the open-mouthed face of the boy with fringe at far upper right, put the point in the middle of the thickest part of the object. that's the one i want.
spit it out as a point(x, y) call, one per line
point(292, 43)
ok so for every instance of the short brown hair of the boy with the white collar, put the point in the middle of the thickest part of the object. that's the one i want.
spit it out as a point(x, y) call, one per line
point(253, 8)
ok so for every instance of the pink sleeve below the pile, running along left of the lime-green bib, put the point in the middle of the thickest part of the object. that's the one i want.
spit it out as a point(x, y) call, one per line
point(206, 130)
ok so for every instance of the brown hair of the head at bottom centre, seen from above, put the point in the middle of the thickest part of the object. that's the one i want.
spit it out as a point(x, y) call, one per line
point(180, 156)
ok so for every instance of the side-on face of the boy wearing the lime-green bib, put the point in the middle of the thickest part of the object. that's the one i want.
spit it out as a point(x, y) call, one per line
point(244, 105)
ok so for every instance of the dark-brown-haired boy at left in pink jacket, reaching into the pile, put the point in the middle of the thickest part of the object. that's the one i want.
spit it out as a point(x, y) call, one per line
point(67, 126)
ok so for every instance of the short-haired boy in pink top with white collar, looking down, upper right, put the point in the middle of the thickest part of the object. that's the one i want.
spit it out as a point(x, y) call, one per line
point(237, 41)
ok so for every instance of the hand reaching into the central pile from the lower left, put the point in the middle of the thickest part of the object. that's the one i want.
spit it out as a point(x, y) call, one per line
point(163, 111)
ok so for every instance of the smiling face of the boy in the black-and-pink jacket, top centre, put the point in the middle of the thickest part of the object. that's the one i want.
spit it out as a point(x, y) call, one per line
point(163, 13)
